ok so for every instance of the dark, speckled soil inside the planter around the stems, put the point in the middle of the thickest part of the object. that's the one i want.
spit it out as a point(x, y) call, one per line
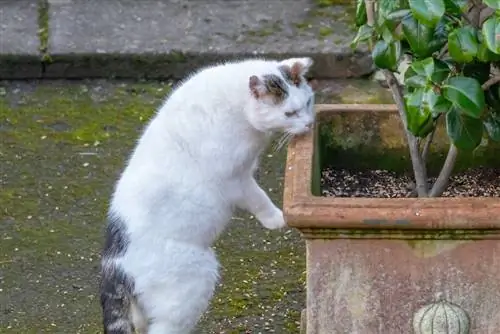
point(386, 184)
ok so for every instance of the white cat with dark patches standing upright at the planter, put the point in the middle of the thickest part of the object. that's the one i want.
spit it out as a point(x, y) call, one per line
point(191, 168)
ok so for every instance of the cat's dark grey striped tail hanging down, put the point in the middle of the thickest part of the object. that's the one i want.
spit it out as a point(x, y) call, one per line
point(116, 296)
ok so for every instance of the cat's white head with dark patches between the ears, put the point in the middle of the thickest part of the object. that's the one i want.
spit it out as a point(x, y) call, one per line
point(283, 100)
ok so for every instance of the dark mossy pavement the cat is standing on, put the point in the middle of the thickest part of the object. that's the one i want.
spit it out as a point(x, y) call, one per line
point(63, 144)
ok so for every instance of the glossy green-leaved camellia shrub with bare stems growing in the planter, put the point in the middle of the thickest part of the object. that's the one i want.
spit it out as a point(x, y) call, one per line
point(446, 54)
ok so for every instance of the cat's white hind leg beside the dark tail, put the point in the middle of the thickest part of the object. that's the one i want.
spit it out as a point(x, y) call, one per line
point(179, 290)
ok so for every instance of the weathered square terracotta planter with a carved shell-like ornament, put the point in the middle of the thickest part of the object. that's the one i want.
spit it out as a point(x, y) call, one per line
point(378, 265)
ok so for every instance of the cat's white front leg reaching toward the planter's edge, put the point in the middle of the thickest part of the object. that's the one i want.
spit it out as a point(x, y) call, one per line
point(255, 200)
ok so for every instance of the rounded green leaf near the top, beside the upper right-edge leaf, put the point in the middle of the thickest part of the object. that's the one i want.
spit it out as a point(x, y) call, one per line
point(463, 44)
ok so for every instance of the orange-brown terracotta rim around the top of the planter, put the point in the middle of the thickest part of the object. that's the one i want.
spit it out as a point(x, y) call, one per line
point(305, 211)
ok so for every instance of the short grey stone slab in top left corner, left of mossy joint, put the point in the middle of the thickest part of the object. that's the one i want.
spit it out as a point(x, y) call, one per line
point(19, 43)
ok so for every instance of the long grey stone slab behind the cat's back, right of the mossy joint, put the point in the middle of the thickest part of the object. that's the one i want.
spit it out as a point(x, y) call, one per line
point(167, 39)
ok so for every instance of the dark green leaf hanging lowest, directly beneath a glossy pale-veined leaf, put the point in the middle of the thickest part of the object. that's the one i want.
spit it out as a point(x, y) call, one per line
point(465, 132)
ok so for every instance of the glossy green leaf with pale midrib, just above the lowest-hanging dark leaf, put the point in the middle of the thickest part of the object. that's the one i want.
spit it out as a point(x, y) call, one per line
point(465, 94)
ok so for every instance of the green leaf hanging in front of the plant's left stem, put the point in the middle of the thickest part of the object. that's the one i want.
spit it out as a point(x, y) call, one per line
point(418, 115)
